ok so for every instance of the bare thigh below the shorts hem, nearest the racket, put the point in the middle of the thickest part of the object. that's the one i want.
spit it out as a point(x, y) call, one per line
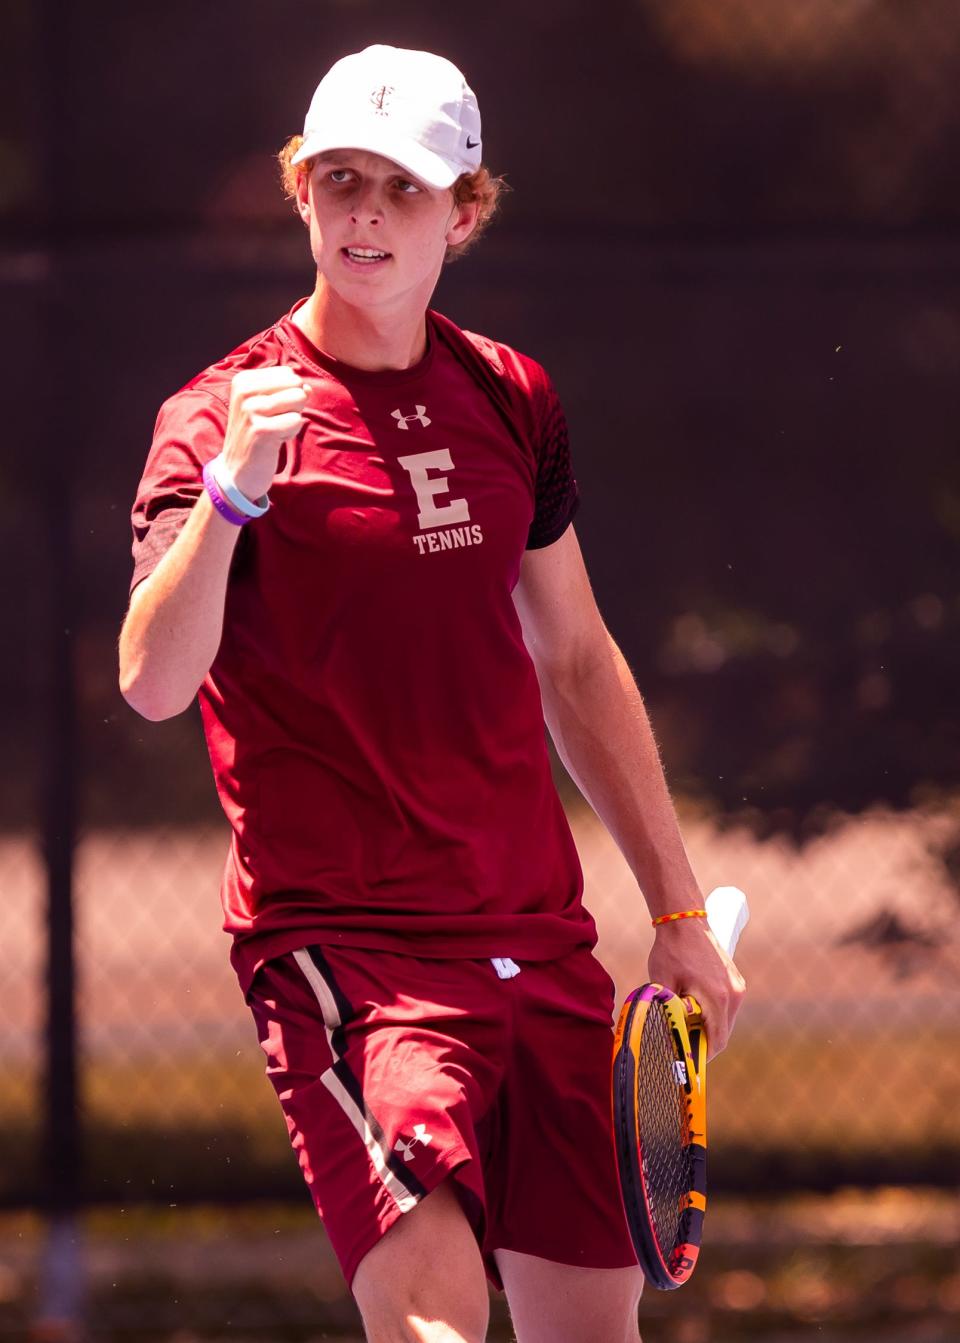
point(558, 1303)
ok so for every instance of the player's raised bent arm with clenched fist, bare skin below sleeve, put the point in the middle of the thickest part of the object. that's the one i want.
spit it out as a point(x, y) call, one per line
point(175, 622)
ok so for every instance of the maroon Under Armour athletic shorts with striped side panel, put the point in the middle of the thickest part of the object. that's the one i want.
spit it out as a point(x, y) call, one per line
point(397, 1072)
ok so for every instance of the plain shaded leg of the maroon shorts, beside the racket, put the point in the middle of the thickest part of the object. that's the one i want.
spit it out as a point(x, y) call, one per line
point(553, 1189)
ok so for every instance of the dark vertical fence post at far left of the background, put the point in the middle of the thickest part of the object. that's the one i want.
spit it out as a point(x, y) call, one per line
point(61, 1270)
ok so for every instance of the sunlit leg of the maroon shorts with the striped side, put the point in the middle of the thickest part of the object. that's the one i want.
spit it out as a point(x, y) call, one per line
point(379, 1093)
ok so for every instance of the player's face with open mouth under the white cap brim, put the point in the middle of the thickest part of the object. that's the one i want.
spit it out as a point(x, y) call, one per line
point(378, 236)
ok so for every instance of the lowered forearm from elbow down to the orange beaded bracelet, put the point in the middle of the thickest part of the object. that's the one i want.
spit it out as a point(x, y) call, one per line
point(604, 737)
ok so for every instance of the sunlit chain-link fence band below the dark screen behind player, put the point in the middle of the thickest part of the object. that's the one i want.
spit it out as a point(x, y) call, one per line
point(844, 1068)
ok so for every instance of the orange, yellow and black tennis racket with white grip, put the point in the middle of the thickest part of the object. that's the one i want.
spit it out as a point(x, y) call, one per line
point(660, 1113)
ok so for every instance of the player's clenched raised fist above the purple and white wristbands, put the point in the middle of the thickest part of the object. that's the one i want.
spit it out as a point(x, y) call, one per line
point(267, 410)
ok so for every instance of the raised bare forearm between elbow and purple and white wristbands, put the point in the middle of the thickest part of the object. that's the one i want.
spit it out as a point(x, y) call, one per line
point(175, 622)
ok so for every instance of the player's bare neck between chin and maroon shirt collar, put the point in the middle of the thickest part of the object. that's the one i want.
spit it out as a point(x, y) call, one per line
point(370, 339)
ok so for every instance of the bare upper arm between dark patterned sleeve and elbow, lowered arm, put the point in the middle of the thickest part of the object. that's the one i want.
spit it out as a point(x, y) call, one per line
point(558, 612)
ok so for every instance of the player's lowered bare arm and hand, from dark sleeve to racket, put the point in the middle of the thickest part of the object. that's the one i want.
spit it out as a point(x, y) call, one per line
point(602, 733)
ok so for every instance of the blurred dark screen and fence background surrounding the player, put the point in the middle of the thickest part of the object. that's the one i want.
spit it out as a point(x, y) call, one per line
point(734, 240)
